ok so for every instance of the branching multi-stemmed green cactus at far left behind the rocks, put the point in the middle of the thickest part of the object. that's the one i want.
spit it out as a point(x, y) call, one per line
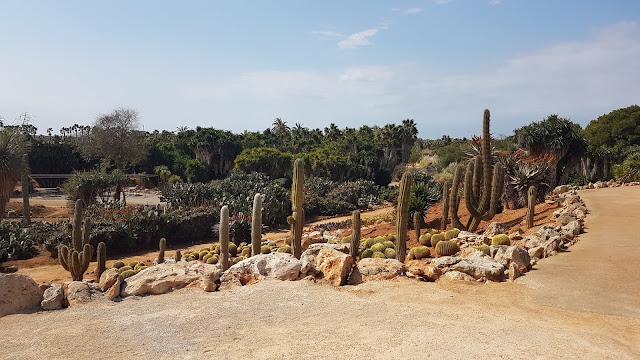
point(76, 260)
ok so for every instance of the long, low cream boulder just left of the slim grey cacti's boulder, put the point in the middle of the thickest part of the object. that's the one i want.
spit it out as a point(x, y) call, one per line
point(164, 277)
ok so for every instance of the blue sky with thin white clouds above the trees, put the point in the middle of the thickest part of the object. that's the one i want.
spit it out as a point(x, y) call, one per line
point(237, 65)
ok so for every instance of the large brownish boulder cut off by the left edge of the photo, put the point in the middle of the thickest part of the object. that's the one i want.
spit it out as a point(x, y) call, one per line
point(18, 292)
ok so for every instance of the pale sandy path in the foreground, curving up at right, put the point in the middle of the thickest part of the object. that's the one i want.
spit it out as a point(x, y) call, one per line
point(583, 304)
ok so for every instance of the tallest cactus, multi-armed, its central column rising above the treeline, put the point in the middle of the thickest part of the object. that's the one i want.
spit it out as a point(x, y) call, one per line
point(482, 190)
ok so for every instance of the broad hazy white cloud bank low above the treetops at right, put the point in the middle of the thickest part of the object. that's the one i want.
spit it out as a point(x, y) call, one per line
point(580, 80)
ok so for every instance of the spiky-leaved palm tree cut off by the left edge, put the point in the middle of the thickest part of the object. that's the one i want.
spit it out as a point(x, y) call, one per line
point(13, 163)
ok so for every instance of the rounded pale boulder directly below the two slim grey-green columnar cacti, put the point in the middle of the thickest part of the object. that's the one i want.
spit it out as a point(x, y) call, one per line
point(280, 266)
